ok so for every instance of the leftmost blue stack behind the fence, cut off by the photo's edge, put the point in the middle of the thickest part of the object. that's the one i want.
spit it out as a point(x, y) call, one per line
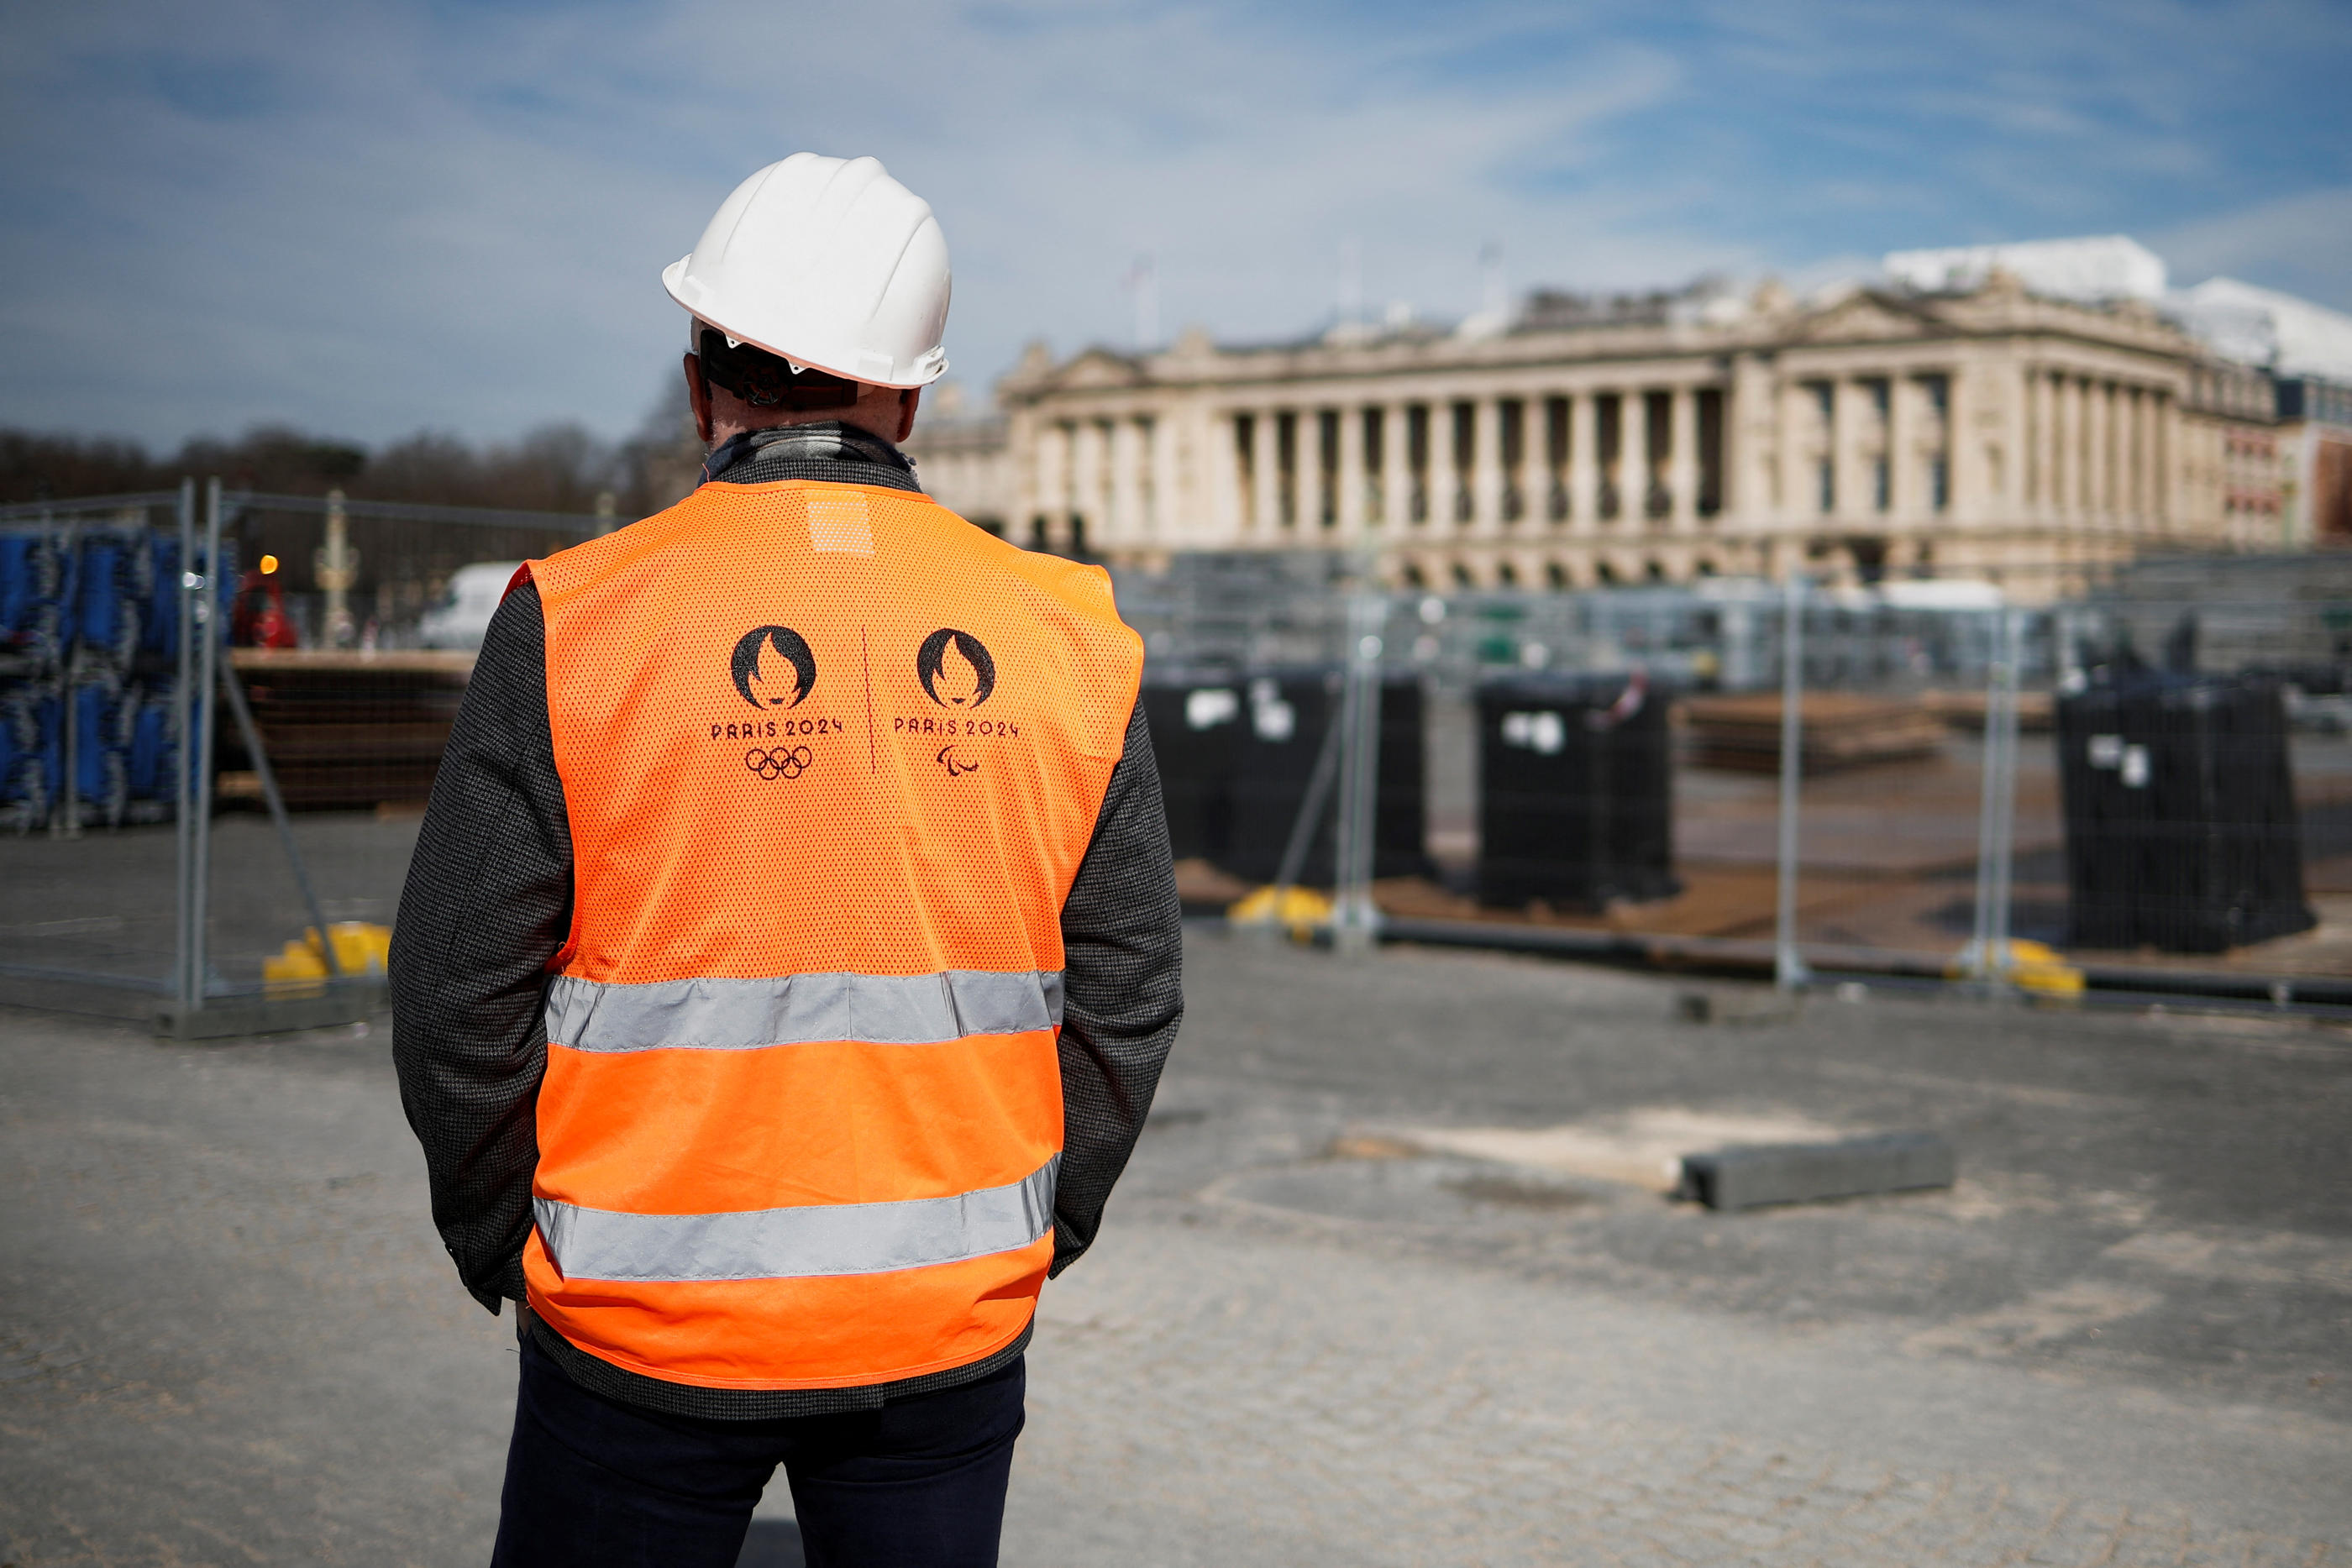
point(36, 594)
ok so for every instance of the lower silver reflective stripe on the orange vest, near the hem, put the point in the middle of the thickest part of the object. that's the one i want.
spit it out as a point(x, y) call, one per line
point(799, 1242)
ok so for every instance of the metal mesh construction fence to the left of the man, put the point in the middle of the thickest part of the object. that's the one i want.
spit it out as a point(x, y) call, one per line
point(220, 721)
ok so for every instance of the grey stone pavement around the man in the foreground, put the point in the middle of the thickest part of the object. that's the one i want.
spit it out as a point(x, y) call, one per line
point(229, 1334)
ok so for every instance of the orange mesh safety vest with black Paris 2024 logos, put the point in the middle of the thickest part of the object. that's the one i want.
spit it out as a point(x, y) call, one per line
point(831, 760)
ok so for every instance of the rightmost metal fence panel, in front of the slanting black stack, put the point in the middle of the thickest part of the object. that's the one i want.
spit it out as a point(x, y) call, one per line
point(2203, 753)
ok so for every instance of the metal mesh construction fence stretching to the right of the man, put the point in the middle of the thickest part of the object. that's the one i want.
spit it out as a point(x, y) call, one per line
point(2132, 796)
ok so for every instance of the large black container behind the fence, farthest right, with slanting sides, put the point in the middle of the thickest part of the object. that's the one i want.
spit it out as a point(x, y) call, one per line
point(2181, 824)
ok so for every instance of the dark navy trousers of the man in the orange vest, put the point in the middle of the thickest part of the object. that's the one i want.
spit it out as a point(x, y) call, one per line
point(601, 1485)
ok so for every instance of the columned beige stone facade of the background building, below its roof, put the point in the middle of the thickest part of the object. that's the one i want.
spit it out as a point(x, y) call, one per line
point(1753, 462)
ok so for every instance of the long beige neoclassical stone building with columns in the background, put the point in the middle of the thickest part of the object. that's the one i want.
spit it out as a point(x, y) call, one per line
point(1982, 434)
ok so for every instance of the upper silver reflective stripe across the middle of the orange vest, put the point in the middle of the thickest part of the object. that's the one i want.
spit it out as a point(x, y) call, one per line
point(799, 1010)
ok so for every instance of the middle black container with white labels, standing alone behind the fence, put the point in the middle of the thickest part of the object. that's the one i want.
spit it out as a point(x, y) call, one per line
point(1577, 791)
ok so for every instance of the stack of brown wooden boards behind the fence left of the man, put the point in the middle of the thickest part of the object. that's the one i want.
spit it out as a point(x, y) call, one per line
point(347, 728)
